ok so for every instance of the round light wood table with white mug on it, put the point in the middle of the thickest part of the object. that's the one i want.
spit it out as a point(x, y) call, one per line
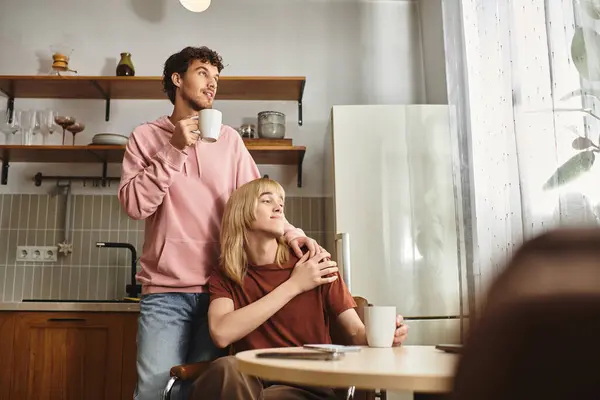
point(419, 369)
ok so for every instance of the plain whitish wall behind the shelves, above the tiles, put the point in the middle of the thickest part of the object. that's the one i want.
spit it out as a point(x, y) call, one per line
point(351, 53)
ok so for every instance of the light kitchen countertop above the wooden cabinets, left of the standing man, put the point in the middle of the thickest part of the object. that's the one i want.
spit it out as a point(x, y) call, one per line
point(74, 306)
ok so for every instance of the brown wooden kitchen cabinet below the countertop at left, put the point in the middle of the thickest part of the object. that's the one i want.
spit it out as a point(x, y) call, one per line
point(68, 355)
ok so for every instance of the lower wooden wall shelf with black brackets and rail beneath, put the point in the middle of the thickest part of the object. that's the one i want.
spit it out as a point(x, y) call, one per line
point(262, 154)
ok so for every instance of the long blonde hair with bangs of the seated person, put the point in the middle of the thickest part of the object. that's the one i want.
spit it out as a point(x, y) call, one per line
point(237, 219)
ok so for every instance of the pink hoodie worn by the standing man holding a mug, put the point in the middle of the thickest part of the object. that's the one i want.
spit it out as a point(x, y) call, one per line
point(182, 196)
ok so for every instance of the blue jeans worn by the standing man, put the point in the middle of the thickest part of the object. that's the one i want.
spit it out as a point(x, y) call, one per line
point(172, 330)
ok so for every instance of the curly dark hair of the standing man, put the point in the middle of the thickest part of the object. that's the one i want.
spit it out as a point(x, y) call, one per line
point(179, 62)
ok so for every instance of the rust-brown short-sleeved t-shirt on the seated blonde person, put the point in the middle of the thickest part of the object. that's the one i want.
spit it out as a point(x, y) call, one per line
point(304, 320)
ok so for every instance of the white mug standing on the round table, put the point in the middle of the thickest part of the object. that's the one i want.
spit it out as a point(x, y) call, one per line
point(380, 324)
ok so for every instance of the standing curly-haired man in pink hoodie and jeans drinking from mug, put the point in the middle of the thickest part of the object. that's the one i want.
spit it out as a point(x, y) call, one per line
point(179, 186)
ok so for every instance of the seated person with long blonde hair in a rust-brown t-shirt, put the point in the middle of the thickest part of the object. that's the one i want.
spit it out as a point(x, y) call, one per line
point(262, 296)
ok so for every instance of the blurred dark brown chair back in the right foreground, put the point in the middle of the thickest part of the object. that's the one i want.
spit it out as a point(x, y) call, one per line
point(538, 334)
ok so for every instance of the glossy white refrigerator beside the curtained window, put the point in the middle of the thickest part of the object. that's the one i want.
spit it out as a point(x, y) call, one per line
point(397, 215)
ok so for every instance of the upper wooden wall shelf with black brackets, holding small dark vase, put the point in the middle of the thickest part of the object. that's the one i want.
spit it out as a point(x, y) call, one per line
point(147, 88)
